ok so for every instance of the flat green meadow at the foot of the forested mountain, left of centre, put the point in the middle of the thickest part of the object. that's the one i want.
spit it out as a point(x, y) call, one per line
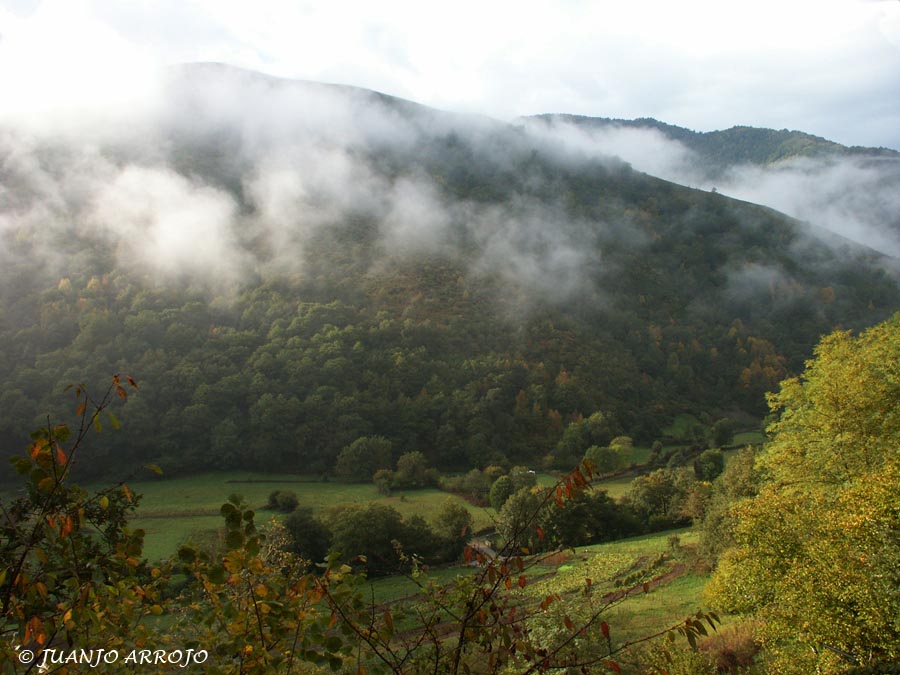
point(174, 511)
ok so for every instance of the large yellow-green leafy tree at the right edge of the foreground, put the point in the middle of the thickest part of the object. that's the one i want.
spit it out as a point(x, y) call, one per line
point(815, 550)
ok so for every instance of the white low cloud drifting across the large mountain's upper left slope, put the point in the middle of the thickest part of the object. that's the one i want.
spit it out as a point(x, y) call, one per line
point(231, 174)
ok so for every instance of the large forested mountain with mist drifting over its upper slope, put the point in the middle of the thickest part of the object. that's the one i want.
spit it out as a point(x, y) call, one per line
point(287, 266)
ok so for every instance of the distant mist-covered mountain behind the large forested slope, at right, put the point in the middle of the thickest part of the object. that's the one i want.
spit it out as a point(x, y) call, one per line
point(851, 191)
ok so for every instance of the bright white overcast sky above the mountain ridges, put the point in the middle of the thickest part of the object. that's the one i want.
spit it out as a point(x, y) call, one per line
point(830, 68)
